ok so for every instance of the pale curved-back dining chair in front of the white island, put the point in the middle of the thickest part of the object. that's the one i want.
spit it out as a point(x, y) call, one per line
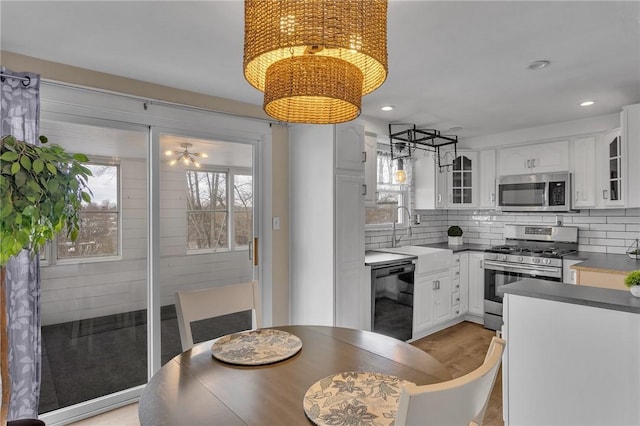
point(461, 401)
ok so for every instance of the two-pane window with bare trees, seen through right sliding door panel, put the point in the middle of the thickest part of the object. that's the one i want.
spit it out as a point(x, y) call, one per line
point(210, 221)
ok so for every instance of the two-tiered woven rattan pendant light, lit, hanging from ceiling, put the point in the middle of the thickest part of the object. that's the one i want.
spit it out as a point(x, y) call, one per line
point(315, 59)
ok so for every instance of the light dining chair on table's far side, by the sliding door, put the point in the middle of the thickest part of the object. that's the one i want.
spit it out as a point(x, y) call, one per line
point(196, 305)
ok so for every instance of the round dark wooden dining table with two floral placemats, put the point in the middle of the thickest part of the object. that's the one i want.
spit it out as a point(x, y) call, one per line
point(194, 388)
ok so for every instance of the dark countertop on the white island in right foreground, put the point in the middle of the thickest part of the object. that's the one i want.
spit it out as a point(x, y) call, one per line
point(596, 297)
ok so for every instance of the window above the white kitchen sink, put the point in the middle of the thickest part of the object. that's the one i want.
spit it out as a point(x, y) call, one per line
point(390, 193)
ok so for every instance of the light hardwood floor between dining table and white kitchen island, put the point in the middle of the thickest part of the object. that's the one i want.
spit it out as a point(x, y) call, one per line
point(462, 349)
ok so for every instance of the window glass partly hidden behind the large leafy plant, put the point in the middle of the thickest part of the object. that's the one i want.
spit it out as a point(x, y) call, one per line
point(99, 220)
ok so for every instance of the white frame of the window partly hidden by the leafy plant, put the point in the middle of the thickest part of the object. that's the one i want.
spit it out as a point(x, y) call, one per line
point(51, 249)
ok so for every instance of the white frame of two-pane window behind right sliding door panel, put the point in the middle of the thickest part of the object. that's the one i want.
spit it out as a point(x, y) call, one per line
point(231, 172)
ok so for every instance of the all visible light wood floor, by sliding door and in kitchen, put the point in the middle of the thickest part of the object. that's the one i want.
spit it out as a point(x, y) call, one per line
point(460, 348)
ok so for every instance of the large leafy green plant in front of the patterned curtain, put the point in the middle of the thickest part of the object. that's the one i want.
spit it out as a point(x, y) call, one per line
point(42, 188)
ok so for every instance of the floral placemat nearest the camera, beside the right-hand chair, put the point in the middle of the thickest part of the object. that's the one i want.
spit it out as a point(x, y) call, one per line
point(354, 398)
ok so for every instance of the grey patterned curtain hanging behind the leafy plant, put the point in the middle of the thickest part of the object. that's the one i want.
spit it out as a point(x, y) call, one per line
point(20, 117)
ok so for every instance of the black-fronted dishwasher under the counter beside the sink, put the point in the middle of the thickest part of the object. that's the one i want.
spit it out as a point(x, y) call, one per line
point(392, 299)
